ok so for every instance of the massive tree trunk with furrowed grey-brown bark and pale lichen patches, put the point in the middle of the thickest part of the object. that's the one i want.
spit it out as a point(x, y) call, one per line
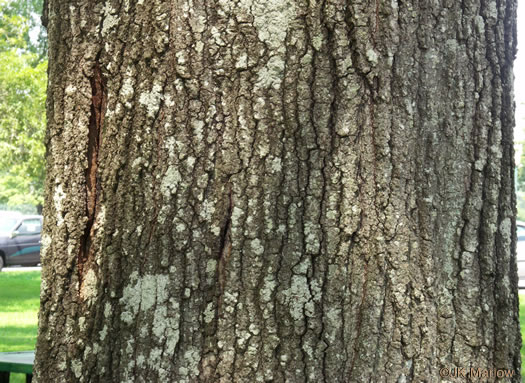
point(279, 190)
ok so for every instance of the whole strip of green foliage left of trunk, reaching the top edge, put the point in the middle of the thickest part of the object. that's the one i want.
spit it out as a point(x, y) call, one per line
point(23, 78)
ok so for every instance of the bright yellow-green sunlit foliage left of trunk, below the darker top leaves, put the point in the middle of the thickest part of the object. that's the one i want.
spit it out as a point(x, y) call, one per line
point(22, 126)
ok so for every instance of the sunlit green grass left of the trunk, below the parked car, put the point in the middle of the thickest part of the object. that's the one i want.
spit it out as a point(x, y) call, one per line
point(19, 302)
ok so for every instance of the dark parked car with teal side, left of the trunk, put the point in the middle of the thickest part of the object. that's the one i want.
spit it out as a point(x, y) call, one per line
point(19, 239)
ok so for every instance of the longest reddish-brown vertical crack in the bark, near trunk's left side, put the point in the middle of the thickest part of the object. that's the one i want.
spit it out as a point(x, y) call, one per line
point(96, 121)
